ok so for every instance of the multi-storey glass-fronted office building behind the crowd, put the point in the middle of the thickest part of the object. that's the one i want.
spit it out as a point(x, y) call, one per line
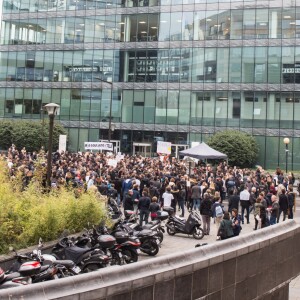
point(181, 70)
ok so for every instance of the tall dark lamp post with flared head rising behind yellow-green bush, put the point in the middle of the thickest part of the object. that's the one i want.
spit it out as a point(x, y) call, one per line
point(52, 109)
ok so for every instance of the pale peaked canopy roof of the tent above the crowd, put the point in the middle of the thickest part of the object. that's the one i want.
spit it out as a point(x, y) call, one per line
point(203, 151)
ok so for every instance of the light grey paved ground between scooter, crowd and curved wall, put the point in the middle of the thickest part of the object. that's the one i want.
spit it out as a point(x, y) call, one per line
point(181, 242)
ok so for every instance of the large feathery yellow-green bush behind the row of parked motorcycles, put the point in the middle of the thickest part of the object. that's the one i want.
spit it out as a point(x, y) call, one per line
point(27, 215)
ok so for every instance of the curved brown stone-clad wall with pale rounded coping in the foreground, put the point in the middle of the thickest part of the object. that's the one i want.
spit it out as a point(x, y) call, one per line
point(258, 265)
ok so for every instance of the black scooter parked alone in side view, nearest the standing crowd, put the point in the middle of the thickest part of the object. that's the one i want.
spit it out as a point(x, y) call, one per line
point(191, 226)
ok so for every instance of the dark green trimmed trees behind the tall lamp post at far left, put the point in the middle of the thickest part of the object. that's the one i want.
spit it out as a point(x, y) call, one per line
point(29, 134)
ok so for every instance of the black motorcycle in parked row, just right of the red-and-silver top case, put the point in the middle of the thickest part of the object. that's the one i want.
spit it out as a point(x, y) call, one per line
point(88, 259)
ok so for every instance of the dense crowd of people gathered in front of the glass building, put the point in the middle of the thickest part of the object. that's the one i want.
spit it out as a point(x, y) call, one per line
point(154, 183)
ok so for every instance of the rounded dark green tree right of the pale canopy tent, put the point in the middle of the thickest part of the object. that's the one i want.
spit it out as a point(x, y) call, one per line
point(241, 148)
